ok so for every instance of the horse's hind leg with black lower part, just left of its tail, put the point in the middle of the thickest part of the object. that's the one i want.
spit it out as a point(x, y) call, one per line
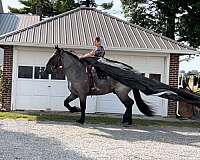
point(128, 103)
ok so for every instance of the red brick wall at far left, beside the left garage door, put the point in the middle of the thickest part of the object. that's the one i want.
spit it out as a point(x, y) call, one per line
point(7, 72)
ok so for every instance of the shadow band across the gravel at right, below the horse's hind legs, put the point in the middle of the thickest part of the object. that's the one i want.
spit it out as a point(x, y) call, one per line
point(180, 136)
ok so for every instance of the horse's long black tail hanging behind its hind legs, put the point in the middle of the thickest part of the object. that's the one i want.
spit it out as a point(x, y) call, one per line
point(143, 107)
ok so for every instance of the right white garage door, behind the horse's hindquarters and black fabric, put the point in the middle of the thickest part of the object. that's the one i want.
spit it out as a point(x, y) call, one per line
point(152, 67)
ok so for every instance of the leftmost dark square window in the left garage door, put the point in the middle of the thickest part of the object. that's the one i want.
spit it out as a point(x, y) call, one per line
point(25, 72)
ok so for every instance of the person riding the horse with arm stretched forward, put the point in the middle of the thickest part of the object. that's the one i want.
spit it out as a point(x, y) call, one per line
point(97, 52)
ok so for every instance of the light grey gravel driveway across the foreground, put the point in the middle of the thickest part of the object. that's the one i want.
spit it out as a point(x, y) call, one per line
point(66, 141)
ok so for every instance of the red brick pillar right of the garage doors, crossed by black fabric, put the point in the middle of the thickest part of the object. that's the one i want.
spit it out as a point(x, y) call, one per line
point(173, 81)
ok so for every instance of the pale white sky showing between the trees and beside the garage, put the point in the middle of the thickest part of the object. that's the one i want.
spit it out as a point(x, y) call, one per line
point(117, 11)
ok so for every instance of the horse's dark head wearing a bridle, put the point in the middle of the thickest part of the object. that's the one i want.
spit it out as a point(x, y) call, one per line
point(55, 62)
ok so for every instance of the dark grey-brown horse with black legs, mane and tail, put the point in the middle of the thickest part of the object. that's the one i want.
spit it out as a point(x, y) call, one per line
point(78, 84)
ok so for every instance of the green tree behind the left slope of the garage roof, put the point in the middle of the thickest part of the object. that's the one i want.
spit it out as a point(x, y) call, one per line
point(48, 8)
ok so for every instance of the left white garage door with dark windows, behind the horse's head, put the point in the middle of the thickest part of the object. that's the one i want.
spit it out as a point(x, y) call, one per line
point(34, 92)
